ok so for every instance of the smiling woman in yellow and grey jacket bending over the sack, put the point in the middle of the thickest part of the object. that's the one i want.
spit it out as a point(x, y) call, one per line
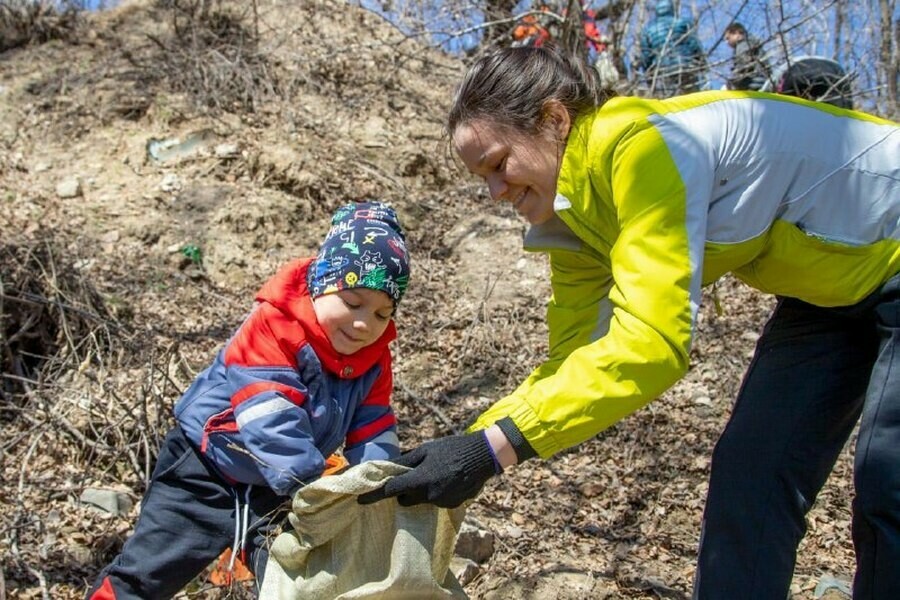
point(640, 203)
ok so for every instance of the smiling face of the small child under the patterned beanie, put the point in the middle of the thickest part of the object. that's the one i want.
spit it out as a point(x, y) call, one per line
point(354, 318)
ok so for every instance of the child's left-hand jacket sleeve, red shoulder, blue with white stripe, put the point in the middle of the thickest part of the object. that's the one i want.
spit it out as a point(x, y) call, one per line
point(261, 366)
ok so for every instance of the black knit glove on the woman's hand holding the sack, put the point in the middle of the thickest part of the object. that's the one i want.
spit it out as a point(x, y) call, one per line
point(446, 472)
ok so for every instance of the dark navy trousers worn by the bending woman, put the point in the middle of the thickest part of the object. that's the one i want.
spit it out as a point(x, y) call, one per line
point(814, 372)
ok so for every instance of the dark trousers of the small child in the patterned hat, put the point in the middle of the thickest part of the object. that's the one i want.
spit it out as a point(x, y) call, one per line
point(187, 519)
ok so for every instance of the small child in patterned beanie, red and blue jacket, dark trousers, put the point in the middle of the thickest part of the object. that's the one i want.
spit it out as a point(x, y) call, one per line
point(308, 371)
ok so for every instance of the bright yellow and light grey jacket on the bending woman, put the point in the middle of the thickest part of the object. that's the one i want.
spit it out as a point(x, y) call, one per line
point(656, 199)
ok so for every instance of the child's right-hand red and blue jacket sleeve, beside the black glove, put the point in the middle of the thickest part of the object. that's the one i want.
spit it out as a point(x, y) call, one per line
point(373, 429)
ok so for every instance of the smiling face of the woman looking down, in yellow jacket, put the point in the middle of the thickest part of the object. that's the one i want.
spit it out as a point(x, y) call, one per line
point(519, 168)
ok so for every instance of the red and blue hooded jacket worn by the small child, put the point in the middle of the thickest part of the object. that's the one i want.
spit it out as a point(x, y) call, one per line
point(278, 398)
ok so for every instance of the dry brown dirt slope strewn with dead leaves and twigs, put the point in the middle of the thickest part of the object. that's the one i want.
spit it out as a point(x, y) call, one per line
point(172, 249)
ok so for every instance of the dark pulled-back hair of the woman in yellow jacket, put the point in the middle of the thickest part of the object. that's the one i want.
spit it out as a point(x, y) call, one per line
point(511, 87)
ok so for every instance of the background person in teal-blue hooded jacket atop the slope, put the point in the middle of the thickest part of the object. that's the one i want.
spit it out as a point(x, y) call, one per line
point(672, 58)
